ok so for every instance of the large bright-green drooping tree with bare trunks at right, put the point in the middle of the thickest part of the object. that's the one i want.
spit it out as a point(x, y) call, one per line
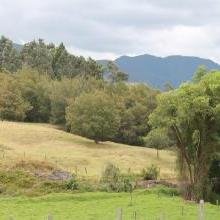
point(191, 113)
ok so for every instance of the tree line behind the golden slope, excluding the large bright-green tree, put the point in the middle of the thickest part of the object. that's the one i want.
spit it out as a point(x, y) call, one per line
point(44, 83)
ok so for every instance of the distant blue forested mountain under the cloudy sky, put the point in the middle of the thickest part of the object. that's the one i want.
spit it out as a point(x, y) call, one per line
point(157, 70)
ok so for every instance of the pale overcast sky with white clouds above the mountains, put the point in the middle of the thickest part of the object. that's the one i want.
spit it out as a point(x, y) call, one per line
point(106, 29)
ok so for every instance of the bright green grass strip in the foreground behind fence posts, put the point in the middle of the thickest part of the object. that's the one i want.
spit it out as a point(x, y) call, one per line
point(103, 206)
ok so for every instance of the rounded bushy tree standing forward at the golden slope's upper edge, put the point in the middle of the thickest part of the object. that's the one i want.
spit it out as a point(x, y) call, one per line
point(93, 116)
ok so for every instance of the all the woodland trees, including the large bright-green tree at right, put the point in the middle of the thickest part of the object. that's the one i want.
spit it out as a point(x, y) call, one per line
point(44, 83)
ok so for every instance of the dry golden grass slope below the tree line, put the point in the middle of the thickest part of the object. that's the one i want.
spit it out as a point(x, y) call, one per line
point(71, 152)
